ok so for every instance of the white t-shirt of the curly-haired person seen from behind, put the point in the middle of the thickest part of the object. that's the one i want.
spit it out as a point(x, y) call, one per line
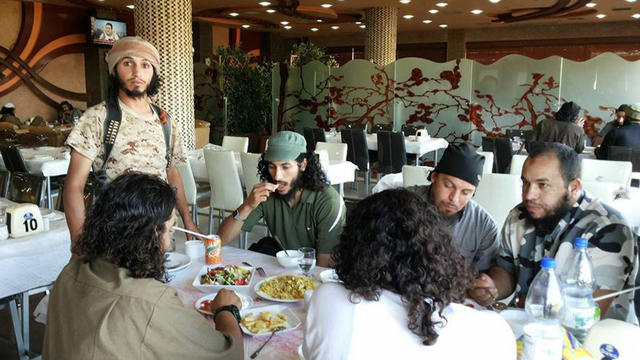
point(336, 328)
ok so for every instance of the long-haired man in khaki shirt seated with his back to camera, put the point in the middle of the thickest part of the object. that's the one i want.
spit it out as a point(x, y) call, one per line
point(112, 301)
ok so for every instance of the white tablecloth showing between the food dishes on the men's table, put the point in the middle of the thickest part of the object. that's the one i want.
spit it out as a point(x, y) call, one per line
point(283, 346)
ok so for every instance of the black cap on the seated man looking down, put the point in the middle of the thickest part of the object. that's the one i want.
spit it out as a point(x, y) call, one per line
point(463, 162)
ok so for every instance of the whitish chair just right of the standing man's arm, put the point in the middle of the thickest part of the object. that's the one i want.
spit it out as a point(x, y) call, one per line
point(226, 190)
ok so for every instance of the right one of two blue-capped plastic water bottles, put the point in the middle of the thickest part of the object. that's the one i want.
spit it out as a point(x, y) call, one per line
point(578, 283)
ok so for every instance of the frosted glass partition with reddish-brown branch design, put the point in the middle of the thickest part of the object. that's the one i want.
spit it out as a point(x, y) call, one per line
point(460, 100)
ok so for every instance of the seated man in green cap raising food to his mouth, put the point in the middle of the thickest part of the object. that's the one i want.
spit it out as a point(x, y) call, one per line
point(294, 198)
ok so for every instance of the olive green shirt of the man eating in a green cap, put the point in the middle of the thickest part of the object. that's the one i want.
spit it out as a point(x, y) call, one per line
point(316, 221)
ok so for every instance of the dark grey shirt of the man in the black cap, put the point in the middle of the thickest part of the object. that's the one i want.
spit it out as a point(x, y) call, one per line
point(475, 232)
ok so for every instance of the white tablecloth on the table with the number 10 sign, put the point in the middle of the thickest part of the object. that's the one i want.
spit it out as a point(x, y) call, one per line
point(33, 261)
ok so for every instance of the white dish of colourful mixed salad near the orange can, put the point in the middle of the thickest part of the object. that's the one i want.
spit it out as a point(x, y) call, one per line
point(212, 278)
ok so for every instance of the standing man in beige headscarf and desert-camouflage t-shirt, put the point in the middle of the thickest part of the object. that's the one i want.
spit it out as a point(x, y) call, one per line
point(140, 141)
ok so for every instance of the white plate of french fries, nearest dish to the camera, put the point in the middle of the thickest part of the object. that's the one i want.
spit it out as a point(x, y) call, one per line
point(264, 320)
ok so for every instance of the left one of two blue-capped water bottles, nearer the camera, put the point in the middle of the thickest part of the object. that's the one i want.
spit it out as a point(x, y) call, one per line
point(543, 334)
